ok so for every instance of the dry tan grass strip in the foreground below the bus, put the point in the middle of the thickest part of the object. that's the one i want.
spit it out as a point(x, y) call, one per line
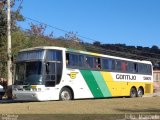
point(118, 106)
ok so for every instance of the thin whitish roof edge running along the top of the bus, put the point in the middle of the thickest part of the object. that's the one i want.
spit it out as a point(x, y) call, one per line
point(85, 52)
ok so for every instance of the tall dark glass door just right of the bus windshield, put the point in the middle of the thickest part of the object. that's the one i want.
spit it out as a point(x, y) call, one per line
point(53, 68)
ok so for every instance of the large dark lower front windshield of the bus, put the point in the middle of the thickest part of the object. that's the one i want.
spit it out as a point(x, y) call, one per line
point(28, 73)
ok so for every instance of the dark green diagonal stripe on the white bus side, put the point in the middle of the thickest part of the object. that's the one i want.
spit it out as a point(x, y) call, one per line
point(92, 84)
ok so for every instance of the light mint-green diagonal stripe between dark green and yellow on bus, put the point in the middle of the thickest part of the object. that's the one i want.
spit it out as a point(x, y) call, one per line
point(101, 83)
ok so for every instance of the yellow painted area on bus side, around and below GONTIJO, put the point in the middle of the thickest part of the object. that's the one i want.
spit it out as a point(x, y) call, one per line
point(118, 88)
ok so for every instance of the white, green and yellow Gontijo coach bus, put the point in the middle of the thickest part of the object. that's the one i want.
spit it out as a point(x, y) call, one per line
point(57, 73)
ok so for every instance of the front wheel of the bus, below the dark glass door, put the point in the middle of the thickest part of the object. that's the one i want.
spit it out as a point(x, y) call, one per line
point(65, 94)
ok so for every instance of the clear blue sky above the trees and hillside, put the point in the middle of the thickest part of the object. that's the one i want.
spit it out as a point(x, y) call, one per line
point(130, 22)
